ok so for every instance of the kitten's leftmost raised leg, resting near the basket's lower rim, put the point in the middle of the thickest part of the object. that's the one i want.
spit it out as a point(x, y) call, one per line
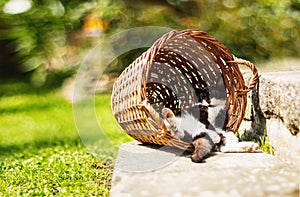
point(174, 125)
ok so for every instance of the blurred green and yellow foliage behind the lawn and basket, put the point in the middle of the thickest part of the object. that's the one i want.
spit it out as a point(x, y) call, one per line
point(51, 36)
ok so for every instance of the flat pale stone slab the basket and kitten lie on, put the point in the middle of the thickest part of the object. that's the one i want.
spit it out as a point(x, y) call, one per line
point(142, 170)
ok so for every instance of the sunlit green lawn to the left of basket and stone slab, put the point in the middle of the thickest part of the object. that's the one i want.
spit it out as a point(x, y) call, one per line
point(41, 152)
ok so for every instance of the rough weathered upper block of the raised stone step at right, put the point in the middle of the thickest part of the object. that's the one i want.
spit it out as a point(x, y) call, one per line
point(279, 94)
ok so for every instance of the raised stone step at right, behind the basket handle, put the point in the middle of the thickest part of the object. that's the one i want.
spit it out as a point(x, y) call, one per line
point(274, 107)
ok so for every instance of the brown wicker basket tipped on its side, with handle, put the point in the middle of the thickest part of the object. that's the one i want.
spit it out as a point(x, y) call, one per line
point(181, 68)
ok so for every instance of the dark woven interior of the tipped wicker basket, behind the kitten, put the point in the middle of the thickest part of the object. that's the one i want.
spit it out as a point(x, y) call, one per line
point(181, 80)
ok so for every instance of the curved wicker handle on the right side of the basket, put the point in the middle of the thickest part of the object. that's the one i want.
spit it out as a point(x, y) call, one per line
point(254, 74)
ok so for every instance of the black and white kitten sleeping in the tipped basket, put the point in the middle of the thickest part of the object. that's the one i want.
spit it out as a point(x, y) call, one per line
point(206, 133)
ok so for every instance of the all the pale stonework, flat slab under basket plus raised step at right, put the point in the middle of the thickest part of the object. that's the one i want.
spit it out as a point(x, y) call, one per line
point(274, 108)
